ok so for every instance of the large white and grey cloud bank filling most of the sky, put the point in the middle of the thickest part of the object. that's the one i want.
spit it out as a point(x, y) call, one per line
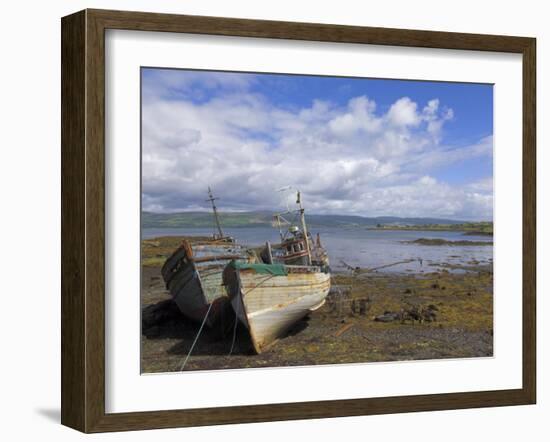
point(349, 159)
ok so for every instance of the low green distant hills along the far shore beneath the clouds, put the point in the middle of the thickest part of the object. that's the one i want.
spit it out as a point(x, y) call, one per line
point(263, 219)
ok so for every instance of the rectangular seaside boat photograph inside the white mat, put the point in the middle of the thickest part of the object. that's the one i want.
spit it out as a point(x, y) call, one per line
point(300, 220)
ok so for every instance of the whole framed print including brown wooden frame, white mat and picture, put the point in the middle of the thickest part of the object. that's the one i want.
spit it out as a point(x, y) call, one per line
point(269, 220)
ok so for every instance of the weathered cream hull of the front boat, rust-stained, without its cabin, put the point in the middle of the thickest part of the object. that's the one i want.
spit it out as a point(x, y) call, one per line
point(269, 305)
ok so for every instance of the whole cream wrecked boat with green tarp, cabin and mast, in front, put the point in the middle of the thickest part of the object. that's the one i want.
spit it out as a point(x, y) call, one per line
point(292, 280)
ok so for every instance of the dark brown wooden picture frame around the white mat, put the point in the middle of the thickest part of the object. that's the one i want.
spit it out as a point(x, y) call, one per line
point(83, 220)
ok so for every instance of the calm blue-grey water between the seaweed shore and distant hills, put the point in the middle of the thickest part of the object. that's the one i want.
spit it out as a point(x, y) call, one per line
point(365, 248)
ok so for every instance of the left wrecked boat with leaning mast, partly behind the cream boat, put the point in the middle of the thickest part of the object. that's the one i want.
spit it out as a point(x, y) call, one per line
point(193, 274)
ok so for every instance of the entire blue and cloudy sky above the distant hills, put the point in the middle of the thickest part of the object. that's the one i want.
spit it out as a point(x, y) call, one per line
point(352, 146)
